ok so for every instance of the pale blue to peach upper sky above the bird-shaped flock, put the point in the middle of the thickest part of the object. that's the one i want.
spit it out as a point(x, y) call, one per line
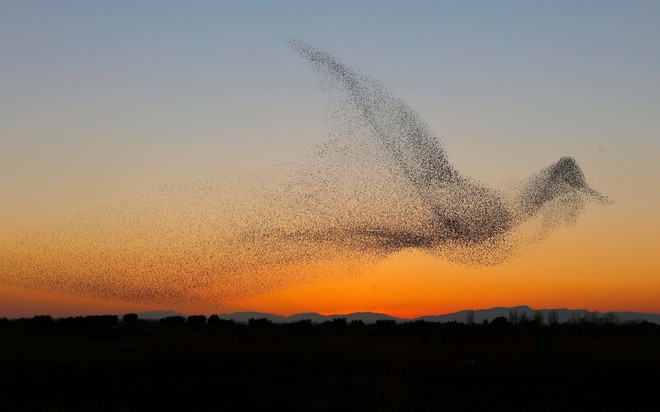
point(106, 99)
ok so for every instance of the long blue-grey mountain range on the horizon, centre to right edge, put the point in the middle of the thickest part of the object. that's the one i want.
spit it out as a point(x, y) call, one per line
point(519, 312)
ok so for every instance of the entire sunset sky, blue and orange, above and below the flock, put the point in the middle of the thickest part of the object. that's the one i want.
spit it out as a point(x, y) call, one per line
point(102, 102)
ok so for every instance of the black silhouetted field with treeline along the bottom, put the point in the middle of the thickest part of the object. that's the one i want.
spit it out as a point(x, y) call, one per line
point(100, 363)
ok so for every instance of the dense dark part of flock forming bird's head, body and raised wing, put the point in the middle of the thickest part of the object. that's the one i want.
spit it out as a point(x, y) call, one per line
point(463, 210)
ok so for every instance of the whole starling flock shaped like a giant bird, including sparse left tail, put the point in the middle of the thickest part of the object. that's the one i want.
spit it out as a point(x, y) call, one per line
point(381, 183)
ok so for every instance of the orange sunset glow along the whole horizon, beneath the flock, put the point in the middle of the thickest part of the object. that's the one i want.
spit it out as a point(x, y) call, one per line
point(580, 267)
